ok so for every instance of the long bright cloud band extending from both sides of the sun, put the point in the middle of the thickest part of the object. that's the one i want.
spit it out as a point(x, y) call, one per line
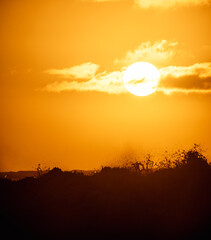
point(195, 78)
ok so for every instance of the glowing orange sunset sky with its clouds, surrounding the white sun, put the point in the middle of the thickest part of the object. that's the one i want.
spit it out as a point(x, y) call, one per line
point(63, 100)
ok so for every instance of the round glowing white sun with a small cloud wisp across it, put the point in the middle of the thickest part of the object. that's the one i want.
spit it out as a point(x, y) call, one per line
point(141, 78)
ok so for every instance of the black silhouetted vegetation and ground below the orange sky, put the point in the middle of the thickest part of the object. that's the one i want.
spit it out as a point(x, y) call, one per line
point(143, 200)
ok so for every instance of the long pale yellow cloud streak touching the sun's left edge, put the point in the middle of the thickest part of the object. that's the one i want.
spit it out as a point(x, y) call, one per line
point(111, 83)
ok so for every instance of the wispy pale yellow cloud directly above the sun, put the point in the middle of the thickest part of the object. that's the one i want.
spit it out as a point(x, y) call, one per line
point(158, 53)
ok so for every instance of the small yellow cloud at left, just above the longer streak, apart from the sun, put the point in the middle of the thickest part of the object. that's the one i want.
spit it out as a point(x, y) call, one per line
point(83, 71)
